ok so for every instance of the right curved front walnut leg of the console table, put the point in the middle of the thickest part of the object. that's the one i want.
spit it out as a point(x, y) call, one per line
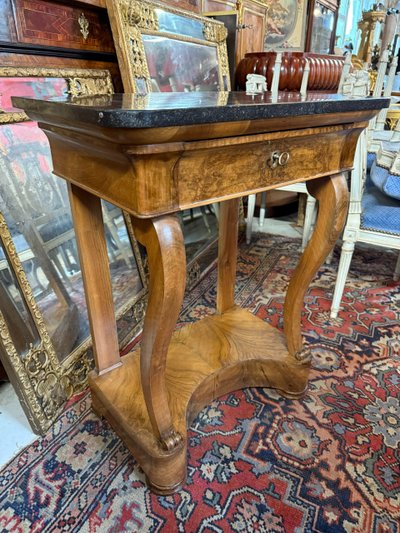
point(332, 194)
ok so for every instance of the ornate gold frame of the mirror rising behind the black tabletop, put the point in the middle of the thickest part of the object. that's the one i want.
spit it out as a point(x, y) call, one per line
point(130, 19)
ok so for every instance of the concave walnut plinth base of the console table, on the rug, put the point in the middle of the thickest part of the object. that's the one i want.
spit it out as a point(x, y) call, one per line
point(207, 359)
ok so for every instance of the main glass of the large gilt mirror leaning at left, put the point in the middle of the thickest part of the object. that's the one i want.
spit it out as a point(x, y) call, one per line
point(36, 208)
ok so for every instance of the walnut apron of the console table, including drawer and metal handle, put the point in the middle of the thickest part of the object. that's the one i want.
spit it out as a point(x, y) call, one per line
point(156, 180)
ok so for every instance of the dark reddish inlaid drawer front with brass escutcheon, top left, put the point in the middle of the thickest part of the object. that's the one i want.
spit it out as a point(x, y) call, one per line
point(53, 24)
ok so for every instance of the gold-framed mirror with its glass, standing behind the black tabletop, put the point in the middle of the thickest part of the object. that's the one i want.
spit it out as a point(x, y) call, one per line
point(163, 49)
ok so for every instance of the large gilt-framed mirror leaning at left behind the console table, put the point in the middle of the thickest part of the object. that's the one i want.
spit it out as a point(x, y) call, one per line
point(45, 343)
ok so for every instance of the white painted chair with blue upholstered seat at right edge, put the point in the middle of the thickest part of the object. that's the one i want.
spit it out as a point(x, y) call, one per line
point(374, 214)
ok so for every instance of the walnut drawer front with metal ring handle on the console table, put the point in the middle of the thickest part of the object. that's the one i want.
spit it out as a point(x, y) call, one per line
point(235, 170)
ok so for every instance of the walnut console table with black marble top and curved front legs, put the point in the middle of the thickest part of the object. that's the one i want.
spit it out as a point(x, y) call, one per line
point(154, 156)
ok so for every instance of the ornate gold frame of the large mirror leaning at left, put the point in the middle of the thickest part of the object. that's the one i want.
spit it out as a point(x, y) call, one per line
point(42, 382)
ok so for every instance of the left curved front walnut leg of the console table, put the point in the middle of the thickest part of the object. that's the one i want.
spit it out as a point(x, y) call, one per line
point(163, 240)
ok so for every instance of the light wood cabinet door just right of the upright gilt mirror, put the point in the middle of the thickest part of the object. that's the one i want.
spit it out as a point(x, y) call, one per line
point(251, 36)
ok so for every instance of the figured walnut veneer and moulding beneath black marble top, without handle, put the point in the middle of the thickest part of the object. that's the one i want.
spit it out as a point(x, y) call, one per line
point(172, 174)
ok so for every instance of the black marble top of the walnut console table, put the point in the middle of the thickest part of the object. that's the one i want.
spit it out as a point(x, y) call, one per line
point(179, 109)
